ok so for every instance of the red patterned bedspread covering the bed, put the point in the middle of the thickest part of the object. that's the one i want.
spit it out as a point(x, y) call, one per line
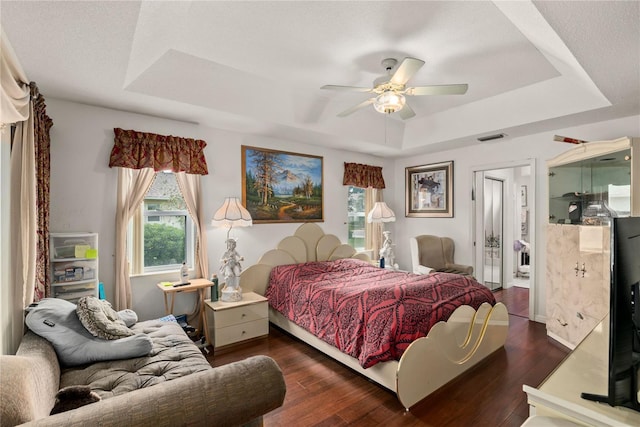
point(369, 313)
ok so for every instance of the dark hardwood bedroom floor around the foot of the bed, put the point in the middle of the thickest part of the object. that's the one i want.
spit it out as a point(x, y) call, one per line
point(322, 392)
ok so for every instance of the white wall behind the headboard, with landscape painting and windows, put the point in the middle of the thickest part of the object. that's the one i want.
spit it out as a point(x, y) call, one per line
point(83, 188)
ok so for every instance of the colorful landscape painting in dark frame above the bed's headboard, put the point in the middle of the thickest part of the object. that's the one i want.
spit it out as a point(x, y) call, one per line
point(281, 186)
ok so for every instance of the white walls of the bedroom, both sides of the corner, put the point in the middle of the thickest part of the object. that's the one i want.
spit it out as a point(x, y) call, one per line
point(83, 188)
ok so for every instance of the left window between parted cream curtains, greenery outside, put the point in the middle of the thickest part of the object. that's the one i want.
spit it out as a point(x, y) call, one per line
point(161, 235)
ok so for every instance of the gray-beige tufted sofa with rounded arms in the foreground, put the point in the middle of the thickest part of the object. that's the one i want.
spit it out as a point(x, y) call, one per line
point(173, 386)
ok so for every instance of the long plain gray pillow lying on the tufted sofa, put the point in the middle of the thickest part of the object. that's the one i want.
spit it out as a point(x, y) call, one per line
point(56, 321)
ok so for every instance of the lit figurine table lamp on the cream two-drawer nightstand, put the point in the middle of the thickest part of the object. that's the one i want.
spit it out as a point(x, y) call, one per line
point(231, 214)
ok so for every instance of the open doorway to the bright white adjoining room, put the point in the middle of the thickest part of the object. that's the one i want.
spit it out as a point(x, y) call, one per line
point(503, 207)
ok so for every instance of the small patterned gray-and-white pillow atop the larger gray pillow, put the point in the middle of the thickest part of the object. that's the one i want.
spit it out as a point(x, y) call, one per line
point(101, 320)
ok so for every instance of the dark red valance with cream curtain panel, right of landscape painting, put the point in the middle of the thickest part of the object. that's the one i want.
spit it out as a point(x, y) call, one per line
point(370, 178)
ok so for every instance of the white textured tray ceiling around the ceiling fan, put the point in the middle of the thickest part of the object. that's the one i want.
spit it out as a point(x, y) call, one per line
point(257, 67)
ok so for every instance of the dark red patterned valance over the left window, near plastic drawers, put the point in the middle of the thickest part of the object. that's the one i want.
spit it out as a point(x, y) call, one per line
point(137, 150)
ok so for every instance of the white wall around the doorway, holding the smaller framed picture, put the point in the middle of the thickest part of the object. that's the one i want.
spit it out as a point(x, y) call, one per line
point(540, 147)
